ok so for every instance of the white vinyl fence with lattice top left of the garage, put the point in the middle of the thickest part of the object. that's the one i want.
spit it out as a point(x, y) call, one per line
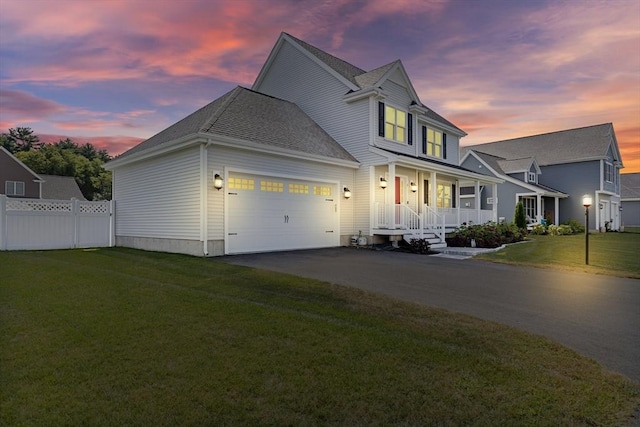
point(54, 224)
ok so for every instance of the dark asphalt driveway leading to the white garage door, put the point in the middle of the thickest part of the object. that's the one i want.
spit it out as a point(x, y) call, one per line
point(598, 316)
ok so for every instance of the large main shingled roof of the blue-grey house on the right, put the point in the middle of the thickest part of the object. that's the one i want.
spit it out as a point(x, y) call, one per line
point(566, 146)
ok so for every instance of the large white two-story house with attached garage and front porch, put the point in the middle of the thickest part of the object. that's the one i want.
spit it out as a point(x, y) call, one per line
point(317, 152)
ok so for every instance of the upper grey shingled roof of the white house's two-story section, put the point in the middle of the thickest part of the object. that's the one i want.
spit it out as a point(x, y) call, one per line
point(359, 77)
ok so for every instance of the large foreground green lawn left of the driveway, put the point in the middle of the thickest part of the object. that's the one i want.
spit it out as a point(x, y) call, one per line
point(126, 337)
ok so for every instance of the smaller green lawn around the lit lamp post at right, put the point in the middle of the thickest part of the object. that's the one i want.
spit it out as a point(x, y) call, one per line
point(615, 254)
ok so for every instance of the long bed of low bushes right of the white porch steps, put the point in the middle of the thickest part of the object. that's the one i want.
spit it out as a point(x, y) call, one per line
point(489, 235)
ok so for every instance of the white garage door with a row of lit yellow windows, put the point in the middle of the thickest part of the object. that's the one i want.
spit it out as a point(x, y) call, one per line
point(272, 213)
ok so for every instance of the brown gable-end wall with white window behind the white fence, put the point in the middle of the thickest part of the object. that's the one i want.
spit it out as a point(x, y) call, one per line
point(16, 179)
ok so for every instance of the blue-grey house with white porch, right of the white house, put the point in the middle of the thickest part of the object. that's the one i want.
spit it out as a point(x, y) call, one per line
point(551, 172)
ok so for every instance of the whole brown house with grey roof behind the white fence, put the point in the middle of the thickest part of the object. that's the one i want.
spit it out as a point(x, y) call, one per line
point(18, 180)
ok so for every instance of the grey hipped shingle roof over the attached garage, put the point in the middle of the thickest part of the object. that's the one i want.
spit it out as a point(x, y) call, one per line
point(251, 116)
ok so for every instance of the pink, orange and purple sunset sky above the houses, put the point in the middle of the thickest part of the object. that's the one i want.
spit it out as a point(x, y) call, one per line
point(114, 72)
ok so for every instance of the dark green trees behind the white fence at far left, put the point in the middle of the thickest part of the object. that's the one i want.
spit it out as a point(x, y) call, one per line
point(65, 157)
